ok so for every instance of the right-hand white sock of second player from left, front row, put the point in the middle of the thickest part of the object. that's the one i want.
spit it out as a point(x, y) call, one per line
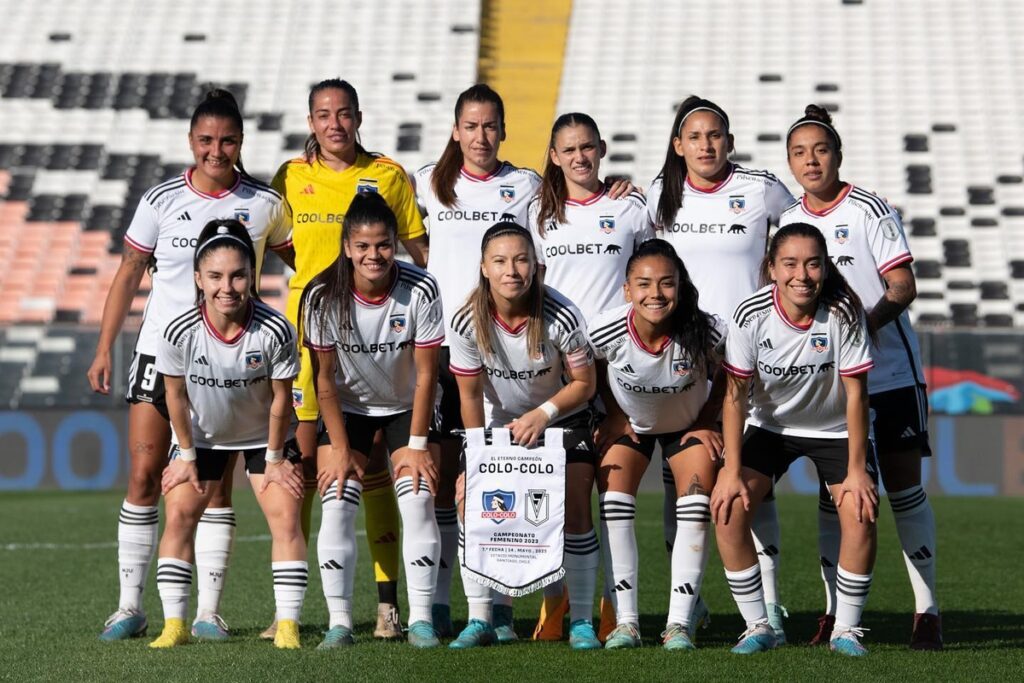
point(421, 545)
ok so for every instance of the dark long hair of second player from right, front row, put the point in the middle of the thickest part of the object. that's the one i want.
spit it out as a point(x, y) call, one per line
point(690, 326)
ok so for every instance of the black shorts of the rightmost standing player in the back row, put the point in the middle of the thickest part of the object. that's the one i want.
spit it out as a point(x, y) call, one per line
point(902, 420)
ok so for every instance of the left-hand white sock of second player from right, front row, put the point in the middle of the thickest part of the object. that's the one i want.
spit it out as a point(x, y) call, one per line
point(618, 515)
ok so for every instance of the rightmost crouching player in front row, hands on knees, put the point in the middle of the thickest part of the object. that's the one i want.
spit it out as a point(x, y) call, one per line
point(799, 349)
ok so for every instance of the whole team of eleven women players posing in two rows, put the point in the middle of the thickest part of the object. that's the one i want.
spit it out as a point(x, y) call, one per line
point(798, 345)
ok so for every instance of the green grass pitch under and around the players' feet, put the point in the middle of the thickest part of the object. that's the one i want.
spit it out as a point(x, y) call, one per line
point(59, 583)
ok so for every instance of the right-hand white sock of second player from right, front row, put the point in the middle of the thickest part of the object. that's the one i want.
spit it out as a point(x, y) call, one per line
point(690, 557)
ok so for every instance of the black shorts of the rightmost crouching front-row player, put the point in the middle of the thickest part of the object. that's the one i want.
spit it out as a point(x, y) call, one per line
point(772, 454)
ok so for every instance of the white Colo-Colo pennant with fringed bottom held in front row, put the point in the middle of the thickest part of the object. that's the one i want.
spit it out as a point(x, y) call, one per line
point(515, 511)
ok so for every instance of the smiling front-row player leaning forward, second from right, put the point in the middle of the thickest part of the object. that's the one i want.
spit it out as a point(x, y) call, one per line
point(656, 356)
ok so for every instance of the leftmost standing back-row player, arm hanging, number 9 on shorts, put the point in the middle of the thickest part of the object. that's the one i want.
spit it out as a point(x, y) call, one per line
point(163, 235)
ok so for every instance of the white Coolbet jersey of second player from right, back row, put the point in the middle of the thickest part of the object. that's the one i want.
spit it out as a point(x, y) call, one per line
point(722, 234)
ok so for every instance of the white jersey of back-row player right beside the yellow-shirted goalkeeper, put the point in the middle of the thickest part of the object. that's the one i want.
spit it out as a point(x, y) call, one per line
point(456, 233)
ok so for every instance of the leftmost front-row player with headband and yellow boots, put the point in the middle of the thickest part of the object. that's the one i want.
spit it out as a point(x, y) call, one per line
point(228, 365)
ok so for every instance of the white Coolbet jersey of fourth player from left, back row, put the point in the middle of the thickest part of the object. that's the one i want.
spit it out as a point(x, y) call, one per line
point(585, 258)
